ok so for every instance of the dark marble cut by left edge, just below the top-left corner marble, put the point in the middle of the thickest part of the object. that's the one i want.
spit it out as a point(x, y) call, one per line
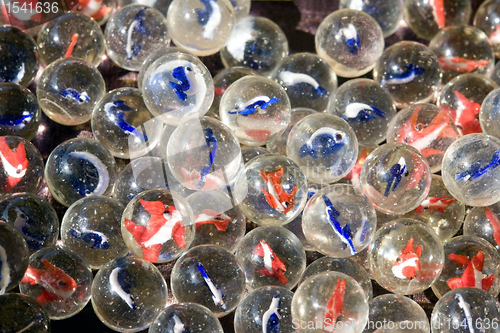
point(18, 56)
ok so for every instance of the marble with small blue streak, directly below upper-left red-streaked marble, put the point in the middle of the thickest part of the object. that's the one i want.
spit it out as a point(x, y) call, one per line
point(68, 90)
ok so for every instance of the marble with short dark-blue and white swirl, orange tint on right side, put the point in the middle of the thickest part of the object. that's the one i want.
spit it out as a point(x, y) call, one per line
point(396, 178)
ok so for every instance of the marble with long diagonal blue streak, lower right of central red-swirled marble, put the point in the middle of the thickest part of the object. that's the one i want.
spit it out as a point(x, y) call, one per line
point(338, 221)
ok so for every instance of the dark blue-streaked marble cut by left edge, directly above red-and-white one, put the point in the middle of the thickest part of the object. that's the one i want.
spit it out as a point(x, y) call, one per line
point(20, 113)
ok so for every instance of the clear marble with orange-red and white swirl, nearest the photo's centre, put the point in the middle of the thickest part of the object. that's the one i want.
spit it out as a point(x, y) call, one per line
point(270, 190)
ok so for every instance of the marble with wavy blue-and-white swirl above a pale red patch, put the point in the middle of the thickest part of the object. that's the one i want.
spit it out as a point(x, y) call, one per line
point(256, 109)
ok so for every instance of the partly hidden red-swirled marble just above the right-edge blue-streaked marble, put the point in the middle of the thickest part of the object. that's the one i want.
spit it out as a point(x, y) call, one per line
point(461, 98)
